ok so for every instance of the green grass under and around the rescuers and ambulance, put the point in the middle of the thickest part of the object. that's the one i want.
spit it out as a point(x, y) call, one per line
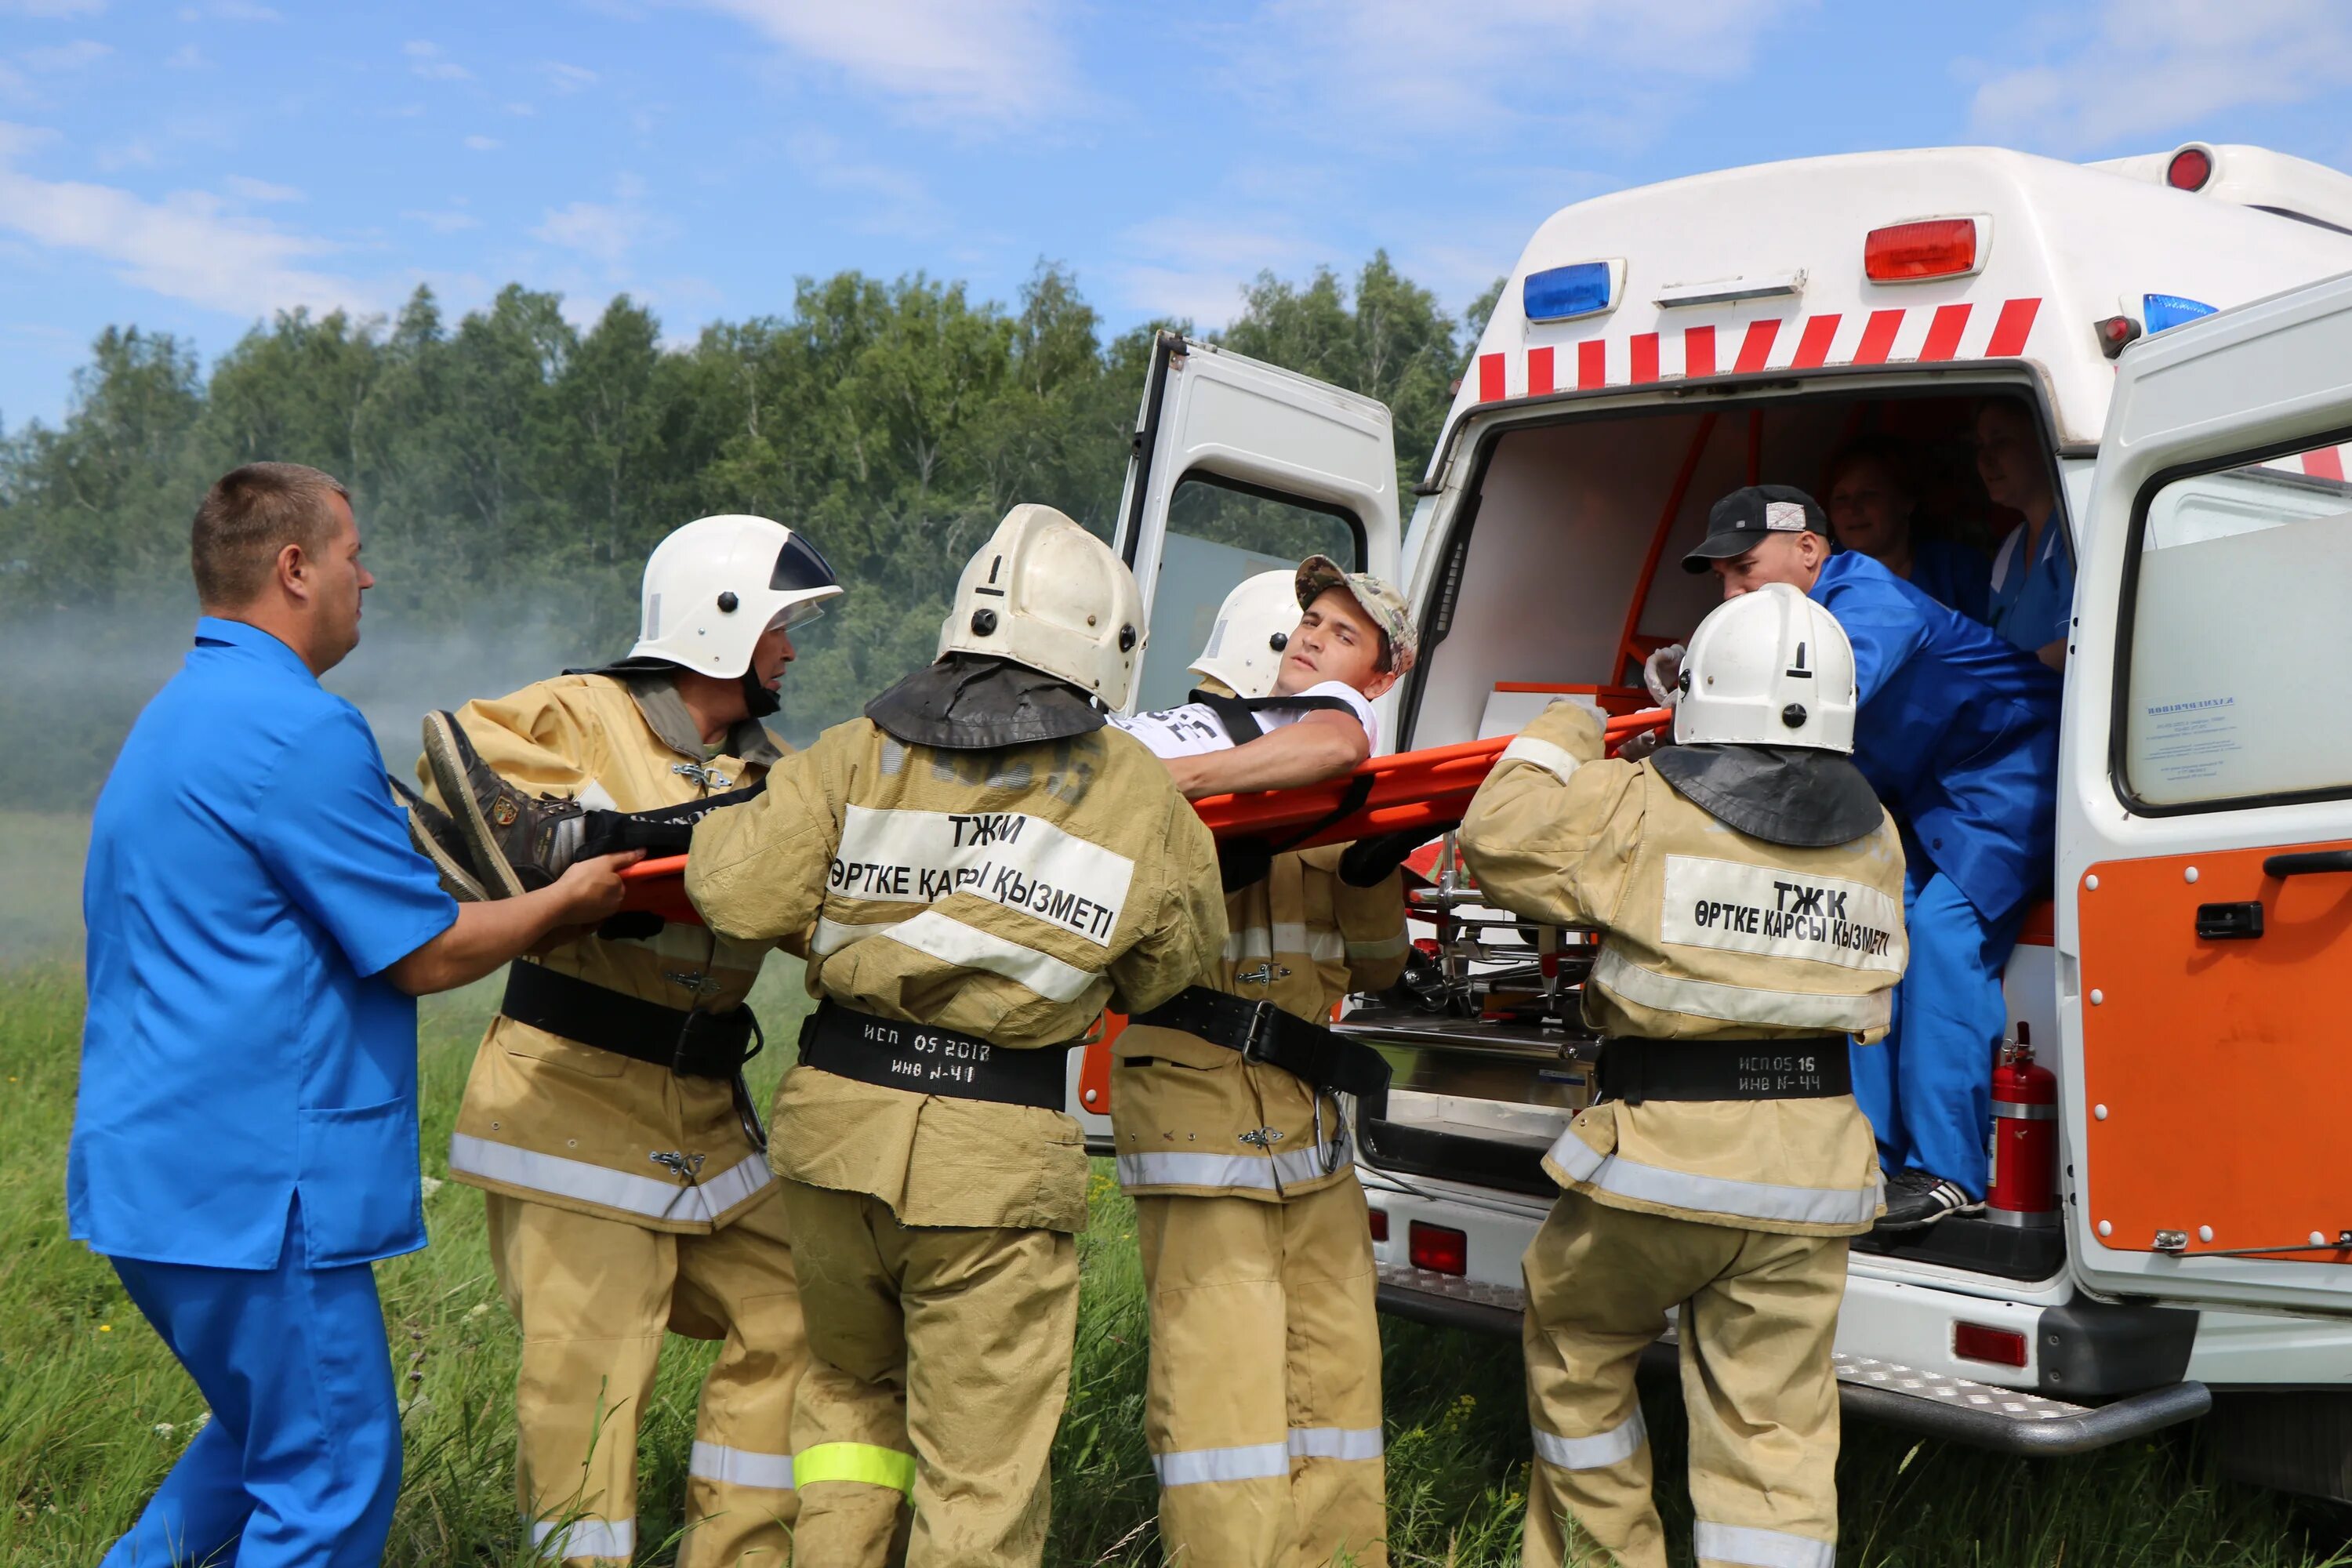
point(93, 1409)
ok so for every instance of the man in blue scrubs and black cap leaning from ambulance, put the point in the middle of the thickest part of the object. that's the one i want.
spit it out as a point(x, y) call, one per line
point(1958, 732)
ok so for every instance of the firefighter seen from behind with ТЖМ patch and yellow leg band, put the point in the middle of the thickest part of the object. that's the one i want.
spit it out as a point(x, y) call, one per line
point(980, 869)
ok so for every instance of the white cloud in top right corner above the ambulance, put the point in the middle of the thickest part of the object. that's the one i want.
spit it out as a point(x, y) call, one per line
point(2158, 69)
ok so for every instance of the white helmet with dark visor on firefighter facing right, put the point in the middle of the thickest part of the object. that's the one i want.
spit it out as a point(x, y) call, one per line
point(714, 589)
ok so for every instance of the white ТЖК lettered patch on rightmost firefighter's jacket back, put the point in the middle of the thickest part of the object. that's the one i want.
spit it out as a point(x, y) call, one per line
point(1777, 913)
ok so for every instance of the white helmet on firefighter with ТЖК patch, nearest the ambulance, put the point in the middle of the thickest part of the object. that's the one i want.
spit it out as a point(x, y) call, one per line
point(1768, 669)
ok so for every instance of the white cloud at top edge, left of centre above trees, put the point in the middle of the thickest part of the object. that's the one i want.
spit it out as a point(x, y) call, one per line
point(970, 60)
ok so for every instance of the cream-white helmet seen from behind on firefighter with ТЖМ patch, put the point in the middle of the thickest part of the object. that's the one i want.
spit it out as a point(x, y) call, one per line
point(1050, 596)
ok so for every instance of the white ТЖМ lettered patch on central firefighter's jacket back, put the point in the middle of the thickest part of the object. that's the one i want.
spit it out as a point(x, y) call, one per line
point(1005, 857)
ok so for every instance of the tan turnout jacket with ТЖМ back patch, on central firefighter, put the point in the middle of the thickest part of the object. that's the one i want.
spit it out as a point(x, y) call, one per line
point(1008, 894)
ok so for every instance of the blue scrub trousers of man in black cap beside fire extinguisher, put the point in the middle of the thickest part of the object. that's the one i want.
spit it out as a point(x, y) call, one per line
point(1927, 1087)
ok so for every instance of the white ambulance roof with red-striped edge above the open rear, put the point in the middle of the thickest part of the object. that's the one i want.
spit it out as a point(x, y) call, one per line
point(1760, 269)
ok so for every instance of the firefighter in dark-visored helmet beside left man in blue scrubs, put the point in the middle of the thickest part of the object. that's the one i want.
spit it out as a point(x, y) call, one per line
point(606, 1118)
